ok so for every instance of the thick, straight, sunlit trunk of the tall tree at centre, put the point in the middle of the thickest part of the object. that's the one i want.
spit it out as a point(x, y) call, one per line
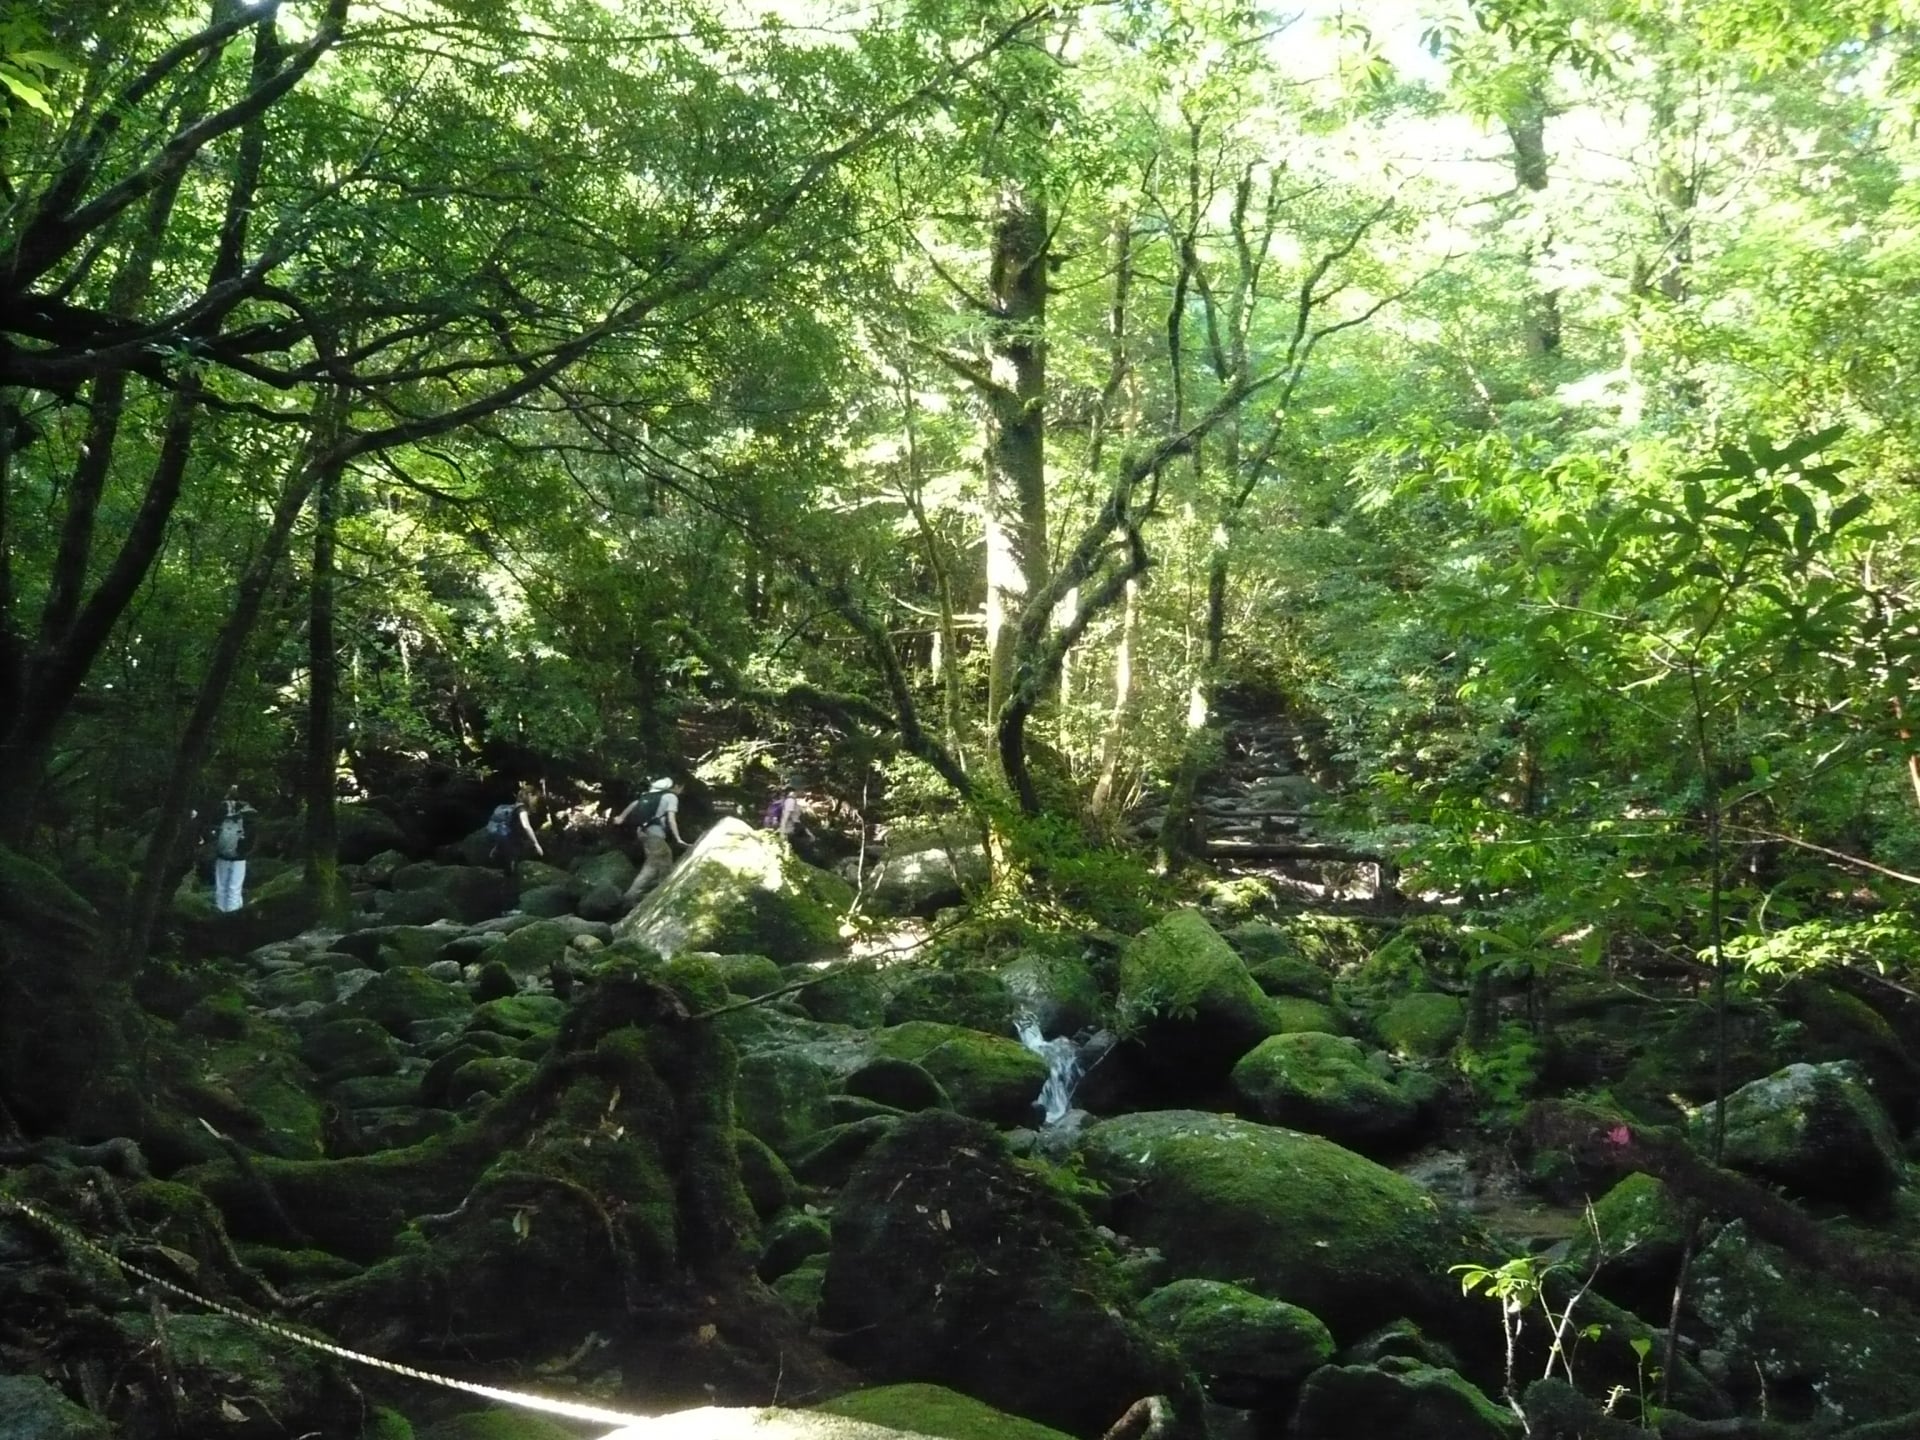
point(1017, 433)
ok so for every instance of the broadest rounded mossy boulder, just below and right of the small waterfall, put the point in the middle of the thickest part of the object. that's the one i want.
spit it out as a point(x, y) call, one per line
point(1287, 1216)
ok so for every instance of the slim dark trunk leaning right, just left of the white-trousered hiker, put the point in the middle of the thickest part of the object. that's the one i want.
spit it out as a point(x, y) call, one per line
point(197, 742)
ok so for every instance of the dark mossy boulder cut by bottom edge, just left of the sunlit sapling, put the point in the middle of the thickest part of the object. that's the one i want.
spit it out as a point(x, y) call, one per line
point(1403, 1399)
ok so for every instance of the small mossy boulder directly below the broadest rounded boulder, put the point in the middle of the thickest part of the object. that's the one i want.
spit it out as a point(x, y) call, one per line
point(1247, 1349)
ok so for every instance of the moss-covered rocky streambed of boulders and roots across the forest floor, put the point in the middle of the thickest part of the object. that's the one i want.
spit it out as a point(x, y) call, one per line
point(696, 1157)
